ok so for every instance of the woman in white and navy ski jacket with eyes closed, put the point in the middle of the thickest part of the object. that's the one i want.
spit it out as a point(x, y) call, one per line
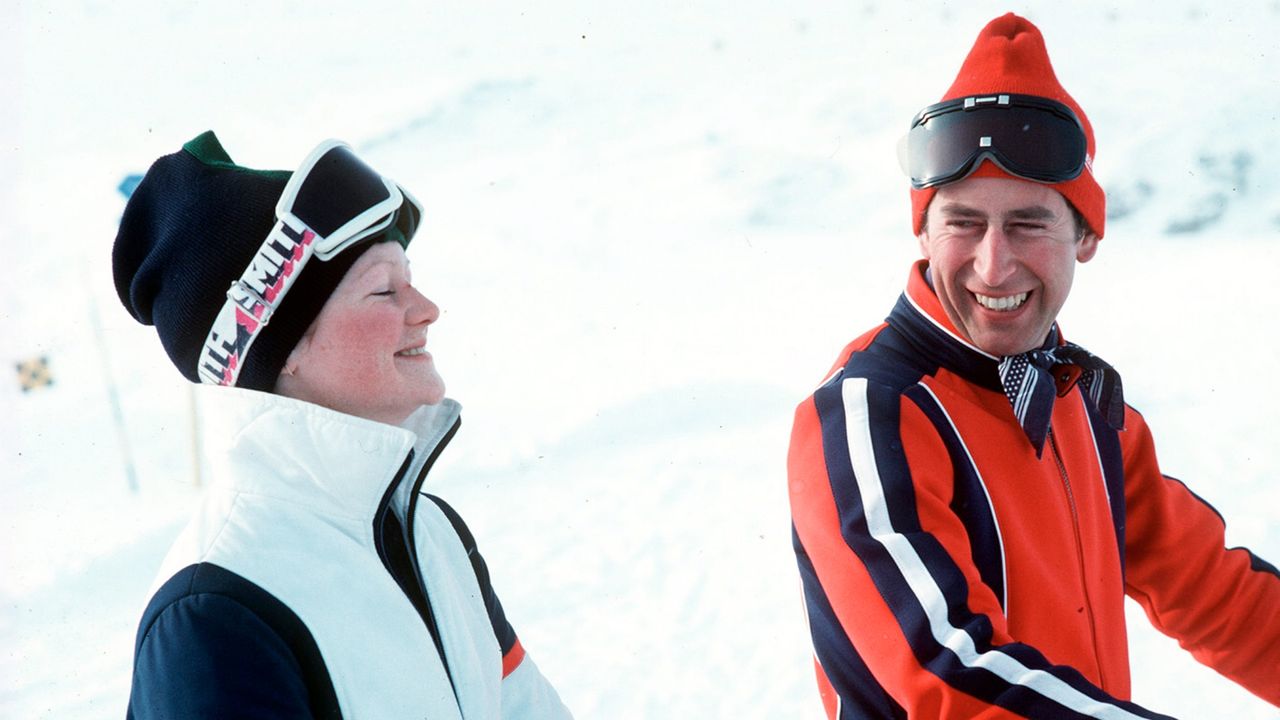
point(316, 580)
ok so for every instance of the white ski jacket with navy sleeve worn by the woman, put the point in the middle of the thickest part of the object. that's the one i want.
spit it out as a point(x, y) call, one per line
point(317, 581)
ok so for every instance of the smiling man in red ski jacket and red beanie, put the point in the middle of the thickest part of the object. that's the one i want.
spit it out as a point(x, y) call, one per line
point(971, 496)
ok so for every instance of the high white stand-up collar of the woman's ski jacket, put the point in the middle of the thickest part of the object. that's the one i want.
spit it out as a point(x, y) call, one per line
point(301, 453)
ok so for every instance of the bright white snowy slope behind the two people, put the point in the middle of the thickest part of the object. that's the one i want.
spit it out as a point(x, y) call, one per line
point(652, 227)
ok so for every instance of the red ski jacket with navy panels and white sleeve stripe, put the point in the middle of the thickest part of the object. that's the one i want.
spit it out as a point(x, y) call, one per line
point(950, 572)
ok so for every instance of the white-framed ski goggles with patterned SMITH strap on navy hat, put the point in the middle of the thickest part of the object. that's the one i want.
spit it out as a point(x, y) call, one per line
point(331, 203)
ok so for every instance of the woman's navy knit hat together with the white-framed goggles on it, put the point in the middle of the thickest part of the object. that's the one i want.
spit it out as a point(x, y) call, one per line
point(213, 253)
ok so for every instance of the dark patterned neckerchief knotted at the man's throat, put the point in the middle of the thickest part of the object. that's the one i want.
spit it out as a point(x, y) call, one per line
point(1031, 386)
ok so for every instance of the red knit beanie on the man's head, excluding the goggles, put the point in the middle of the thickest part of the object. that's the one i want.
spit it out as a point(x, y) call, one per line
point(1011, 57)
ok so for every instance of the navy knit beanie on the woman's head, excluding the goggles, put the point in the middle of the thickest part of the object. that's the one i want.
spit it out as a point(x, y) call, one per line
point(190, 230)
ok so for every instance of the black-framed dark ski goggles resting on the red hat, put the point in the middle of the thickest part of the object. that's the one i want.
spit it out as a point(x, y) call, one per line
point(1031, 138)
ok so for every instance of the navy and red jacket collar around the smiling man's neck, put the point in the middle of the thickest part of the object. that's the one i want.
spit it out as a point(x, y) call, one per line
point(921, 318)
